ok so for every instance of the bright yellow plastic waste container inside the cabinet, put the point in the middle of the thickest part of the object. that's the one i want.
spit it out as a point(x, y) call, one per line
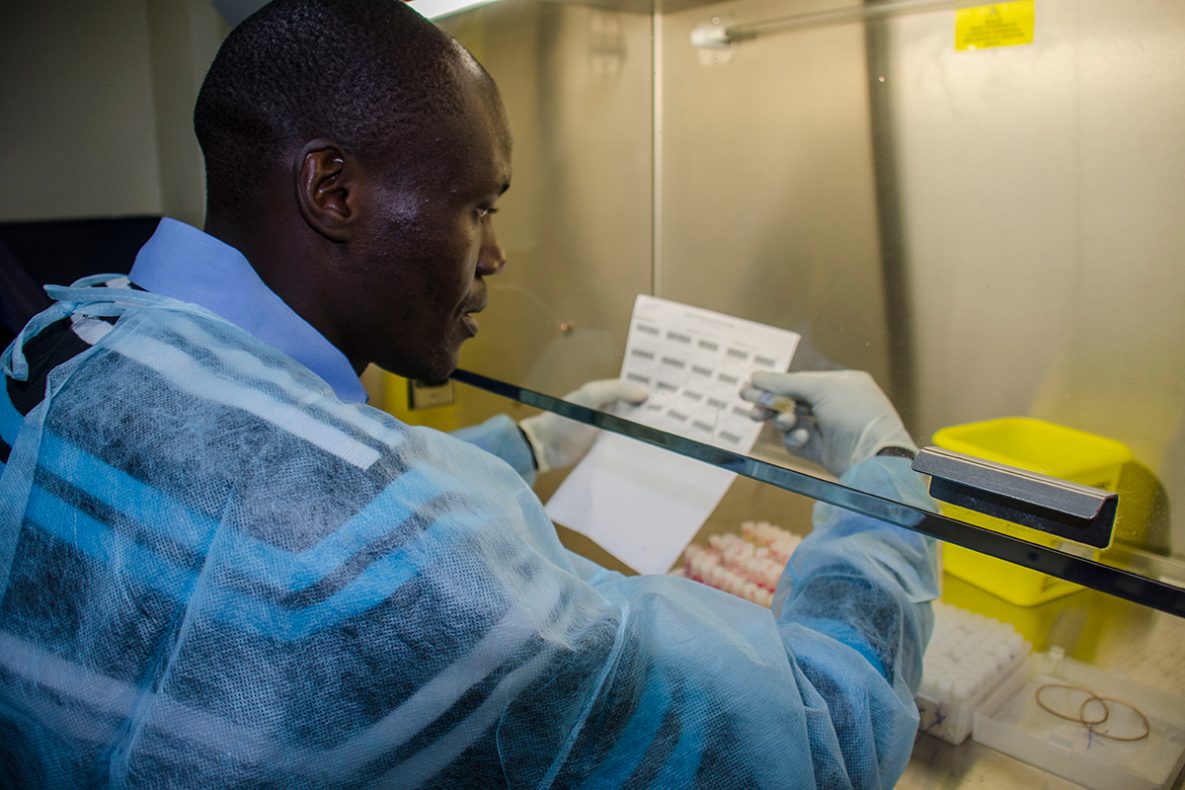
point(1036, 446)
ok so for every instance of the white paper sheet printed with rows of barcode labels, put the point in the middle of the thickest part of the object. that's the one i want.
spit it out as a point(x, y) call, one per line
point(644, 504)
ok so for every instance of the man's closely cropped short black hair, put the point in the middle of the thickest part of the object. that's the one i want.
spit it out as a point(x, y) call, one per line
point(364, 74)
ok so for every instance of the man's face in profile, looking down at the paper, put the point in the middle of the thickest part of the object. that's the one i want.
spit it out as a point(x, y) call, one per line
point(428, 245)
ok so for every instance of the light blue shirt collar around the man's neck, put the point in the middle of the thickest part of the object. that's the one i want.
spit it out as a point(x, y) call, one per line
point(187, 265)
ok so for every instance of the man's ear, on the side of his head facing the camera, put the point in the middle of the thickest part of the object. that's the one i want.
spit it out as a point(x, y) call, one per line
point(328, 189)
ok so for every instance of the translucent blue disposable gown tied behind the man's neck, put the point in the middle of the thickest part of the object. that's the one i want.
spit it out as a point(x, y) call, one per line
point(215, 574)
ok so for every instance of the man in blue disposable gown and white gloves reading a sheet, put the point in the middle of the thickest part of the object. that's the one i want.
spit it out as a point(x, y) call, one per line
point(220, 569)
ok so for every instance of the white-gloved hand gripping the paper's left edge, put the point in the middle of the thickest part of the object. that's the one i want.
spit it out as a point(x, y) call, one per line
point(560, 442)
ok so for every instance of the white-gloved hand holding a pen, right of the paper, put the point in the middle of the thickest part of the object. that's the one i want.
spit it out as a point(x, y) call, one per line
point(850, 420)
